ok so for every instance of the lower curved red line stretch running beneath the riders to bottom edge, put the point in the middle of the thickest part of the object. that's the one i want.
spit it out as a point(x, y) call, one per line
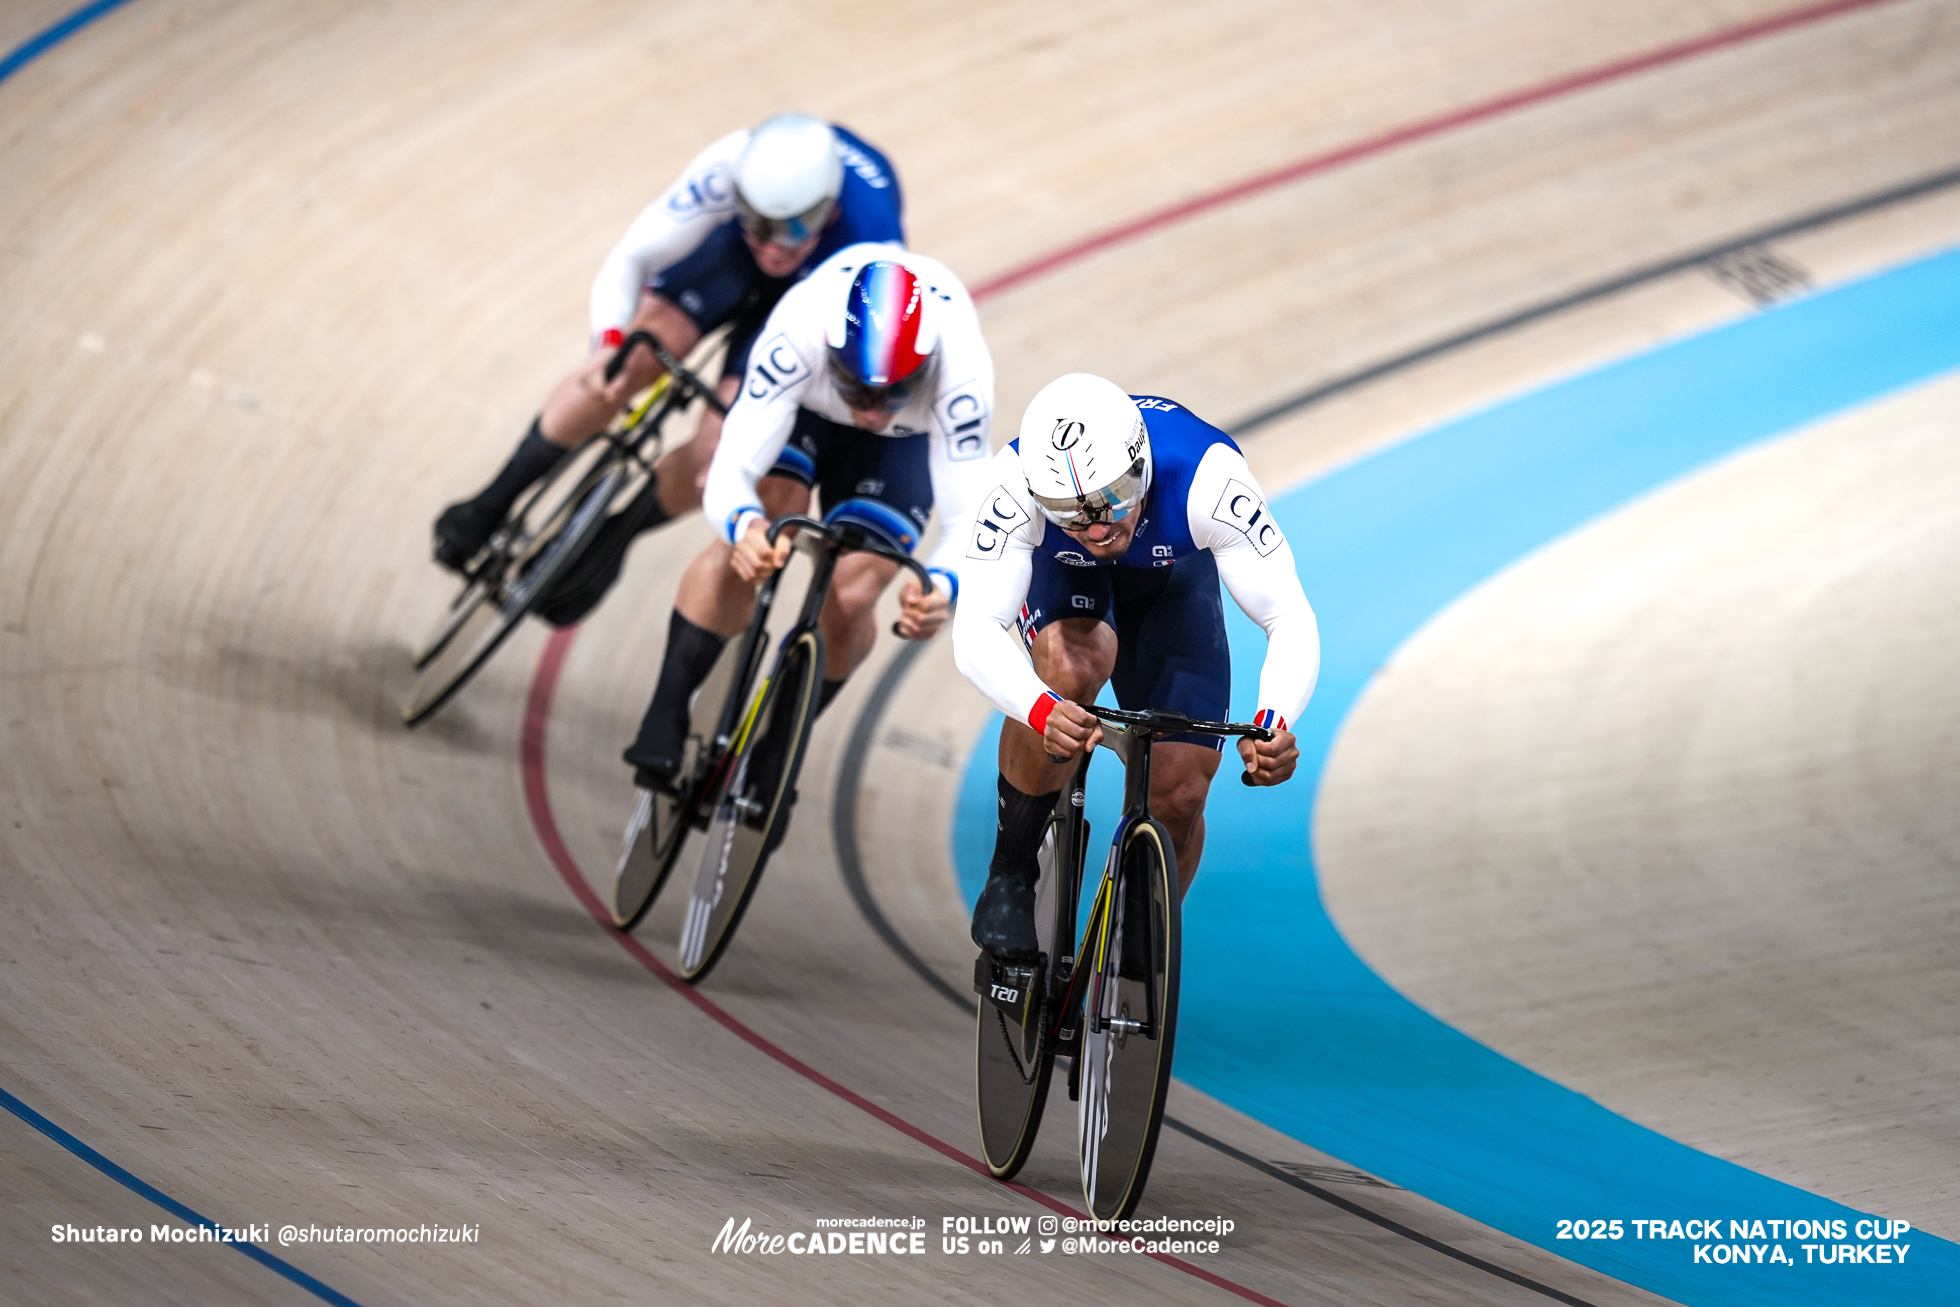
point(538, 799)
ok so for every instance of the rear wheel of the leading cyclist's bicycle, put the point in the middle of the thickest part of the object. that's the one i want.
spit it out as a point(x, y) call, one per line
point(1014, 1063)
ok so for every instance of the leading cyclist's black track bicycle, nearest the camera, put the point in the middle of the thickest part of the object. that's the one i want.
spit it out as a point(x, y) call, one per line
point(1112, 1004)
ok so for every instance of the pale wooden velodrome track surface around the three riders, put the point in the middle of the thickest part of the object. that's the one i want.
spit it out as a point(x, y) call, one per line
point(279, 281)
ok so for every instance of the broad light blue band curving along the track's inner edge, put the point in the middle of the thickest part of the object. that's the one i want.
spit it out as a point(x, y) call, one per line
point(1283, 1020)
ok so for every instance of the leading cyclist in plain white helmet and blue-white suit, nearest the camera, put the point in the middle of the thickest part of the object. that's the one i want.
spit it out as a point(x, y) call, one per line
point(1101, 554)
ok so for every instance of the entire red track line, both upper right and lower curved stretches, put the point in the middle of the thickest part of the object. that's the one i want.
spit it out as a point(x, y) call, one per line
point(550, 667)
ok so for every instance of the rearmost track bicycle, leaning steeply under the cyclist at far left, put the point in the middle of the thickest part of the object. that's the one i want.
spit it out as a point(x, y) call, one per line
point(550, 530)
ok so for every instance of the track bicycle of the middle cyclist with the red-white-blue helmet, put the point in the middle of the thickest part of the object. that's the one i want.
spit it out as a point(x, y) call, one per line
point(742, 757)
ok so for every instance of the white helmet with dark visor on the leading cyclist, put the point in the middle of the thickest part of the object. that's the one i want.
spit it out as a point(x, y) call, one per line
point(1085, 452)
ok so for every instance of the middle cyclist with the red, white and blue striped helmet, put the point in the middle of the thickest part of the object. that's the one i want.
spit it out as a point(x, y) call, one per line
point(873, 385)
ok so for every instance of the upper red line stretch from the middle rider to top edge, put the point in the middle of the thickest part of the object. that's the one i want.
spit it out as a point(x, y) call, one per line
point(1416, 132)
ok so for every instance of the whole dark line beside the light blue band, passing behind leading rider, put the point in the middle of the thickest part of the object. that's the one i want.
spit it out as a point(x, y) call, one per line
point(852, 773)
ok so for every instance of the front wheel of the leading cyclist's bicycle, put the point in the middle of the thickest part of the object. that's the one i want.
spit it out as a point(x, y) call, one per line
point(1130, 1022)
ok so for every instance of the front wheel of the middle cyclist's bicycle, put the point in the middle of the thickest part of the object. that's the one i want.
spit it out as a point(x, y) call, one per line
point(750, 800)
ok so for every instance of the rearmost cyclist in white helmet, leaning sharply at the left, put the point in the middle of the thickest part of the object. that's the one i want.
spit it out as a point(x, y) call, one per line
point(754, 213)
